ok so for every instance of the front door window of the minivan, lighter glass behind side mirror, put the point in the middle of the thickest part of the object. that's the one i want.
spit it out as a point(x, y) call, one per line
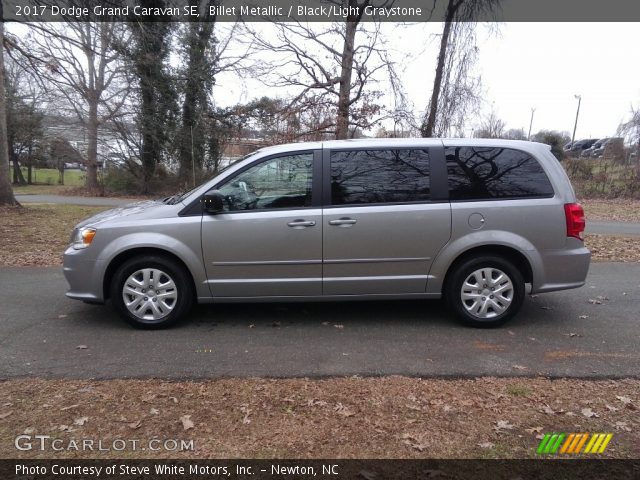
point(281, 182)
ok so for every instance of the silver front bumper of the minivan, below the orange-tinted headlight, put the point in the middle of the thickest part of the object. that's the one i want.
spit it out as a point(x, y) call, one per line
point(84, 276)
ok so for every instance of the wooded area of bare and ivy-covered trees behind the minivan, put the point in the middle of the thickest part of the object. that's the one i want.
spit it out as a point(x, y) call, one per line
point(141, 93)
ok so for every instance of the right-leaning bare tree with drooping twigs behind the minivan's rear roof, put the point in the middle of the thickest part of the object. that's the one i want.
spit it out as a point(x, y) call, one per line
point(456, 34)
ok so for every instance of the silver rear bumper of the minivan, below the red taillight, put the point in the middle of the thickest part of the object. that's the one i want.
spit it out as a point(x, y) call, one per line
point(563, 269)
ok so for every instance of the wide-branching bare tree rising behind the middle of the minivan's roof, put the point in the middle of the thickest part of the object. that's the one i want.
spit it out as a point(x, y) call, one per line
point(331, 67)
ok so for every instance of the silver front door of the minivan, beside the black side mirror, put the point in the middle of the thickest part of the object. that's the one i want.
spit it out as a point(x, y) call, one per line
point(268, 239)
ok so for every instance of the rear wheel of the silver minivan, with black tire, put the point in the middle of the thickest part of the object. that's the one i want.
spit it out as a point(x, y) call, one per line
point(498, 307)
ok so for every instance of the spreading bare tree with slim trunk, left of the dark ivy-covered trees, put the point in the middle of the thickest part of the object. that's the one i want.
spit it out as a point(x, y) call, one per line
point(79, 60)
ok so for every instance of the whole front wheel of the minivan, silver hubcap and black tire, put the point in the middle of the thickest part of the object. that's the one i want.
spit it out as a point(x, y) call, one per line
point(151, 292)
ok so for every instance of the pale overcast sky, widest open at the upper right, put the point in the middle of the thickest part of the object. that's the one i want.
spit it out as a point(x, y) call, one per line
point(525, 66)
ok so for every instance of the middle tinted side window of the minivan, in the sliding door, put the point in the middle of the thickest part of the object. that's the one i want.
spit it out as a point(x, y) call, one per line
point(379, 176)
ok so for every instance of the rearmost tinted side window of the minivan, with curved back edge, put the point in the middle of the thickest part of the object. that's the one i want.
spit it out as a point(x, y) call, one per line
point(480, 173)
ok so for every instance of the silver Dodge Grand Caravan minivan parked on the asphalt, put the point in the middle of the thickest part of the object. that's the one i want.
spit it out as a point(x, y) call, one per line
point(473, 221)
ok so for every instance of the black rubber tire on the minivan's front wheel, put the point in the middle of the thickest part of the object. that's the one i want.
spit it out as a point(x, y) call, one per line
point(173, 309)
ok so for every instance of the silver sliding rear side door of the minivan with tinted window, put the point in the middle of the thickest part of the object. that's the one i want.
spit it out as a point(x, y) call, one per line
point(383, 226)
